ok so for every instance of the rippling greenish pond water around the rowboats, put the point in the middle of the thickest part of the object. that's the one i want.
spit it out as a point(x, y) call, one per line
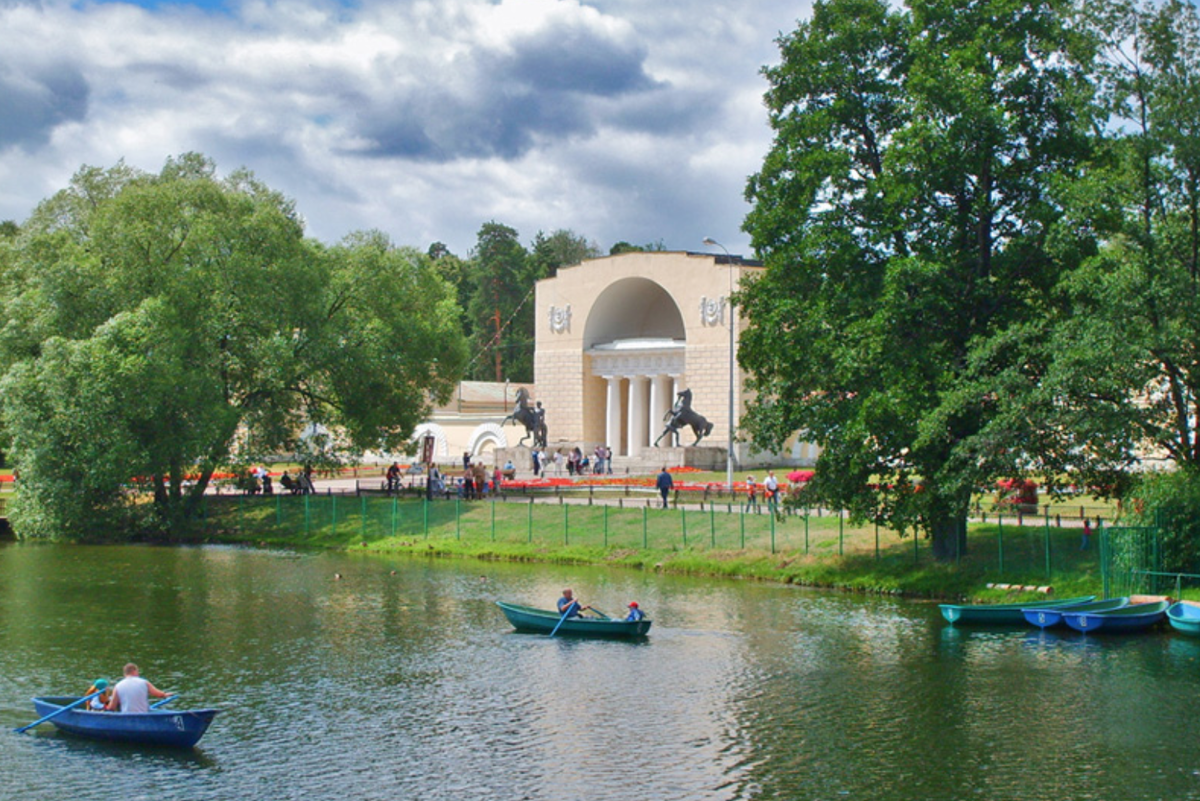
point(403, 680)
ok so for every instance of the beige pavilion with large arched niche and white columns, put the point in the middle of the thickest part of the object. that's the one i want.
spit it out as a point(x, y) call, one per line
point(619, 338)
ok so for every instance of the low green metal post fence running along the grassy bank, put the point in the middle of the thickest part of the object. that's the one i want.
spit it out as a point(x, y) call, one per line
point(1001, 547)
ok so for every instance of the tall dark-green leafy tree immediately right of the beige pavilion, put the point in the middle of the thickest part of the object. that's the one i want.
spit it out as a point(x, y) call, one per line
point(907, 216)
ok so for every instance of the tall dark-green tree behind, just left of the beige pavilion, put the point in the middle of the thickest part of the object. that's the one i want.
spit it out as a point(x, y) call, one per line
point(501, 310)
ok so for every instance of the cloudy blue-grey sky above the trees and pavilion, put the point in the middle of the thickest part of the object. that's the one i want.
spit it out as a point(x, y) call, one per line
point(622, 121)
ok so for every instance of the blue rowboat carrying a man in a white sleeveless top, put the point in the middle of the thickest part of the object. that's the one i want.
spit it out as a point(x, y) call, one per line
point(175, 728)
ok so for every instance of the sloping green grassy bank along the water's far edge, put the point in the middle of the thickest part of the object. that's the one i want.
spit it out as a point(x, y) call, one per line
point(715, 541)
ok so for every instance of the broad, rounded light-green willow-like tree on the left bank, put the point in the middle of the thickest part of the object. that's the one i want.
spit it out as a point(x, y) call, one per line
point(158, 327)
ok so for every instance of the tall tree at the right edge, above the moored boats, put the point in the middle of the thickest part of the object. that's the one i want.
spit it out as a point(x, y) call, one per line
point(1125, 371)
